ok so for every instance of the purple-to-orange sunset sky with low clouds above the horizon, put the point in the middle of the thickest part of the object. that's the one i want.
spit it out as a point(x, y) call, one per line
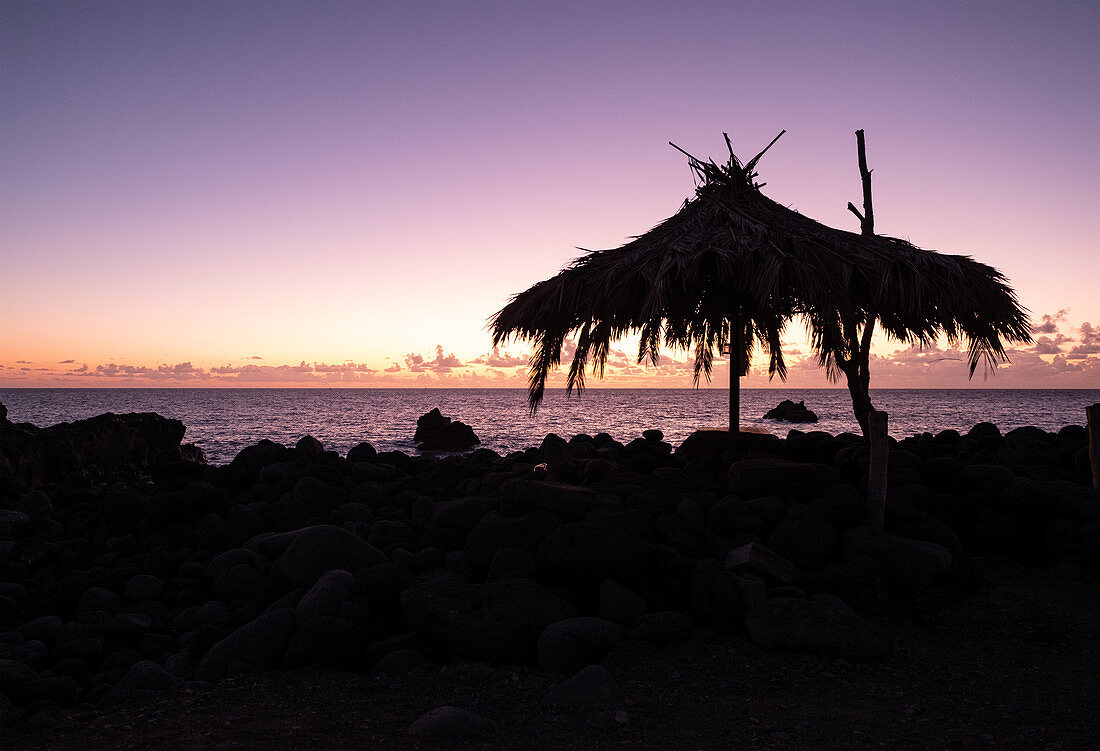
point(343, 194)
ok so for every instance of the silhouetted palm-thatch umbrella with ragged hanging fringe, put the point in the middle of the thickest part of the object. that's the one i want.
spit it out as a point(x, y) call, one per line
point(732, 269)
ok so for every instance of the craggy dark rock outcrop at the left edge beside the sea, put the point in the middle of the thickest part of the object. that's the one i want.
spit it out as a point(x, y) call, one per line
point(102, 449)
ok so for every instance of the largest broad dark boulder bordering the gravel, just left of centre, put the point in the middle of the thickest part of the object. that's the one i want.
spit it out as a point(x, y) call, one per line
point(500, 622)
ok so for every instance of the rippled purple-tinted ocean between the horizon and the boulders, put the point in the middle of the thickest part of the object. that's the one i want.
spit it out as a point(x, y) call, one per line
point(224, 422)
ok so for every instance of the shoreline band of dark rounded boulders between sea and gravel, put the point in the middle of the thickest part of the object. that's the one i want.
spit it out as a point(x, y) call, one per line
point(161, 575)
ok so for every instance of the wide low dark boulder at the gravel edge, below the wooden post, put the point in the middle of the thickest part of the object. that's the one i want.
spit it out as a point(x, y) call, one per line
point(811, 626)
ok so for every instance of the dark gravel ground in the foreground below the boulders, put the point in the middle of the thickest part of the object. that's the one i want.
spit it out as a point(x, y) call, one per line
point(1015, 666)
